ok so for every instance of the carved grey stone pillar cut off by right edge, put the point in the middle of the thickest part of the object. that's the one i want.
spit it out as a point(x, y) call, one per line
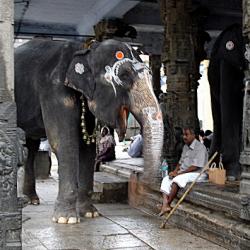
point(245, 154)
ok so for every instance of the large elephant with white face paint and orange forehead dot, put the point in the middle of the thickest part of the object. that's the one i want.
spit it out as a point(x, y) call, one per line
point(60, 87)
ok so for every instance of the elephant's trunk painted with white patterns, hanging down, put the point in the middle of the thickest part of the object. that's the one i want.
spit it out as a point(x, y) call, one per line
point(145, 108)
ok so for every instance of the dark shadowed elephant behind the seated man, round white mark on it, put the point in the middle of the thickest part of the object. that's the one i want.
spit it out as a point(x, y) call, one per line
point(225, 76)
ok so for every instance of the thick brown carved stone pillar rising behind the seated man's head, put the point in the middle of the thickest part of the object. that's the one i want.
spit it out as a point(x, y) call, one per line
point(179, 60)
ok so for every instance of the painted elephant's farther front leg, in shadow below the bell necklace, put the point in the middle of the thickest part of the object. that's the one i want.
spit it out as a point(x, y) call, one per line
point(86, 179)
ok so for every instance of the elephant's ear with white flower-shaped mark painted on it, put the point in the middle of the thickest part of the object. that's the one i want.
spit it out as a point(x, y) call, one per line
point(79, 75)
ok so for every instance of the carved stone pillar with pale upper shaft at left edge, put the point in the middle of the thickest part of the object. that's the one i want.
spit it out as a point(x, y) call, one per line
point(10, 214)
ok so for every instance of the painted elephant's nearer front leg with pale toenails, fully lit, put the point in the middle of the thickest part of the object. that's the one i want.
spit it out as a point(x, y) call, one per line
point(61, 120)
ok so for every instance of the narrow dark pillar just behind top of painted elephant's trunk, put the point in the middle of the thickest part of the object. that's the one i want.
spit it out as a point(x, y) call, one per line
point(155, 65)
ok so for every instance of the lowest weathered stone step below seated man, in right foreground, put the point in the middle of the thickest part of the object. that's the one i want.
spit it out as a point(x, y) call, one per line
point(213, 226)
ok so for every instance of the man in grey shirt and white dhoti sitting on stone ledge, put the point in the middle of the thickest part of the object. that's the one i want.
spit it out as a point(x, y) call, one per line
point(193, 158)
